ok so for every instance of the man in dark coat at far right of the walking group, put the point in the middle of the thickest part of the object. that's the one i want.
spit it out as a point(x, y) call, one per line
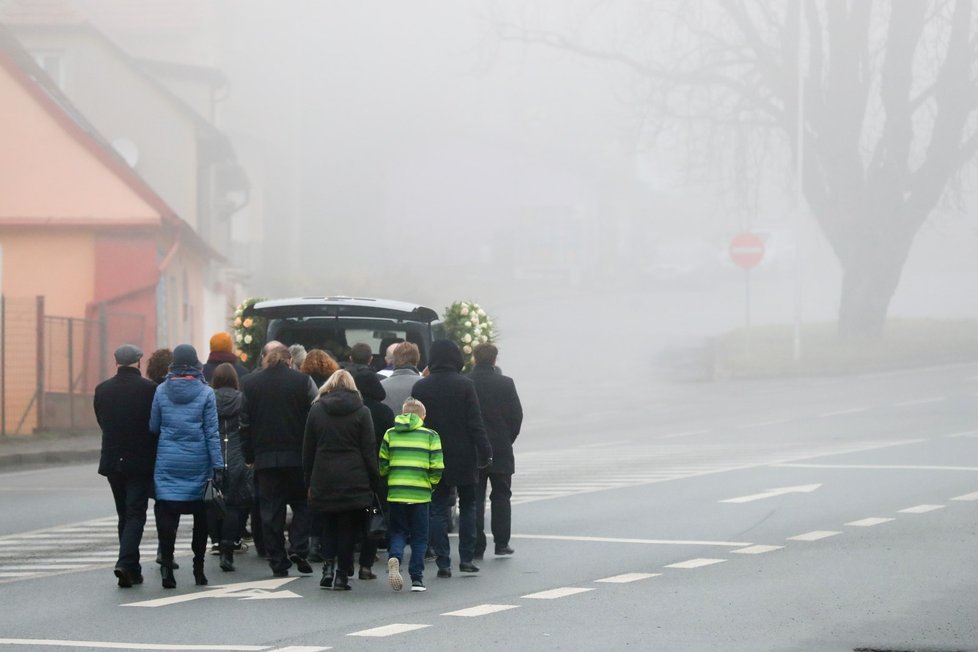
point(503, 416)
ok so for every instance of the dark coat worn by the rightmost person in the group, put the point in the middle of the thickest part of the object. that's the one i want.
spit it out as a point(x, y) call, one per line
point(501, 412)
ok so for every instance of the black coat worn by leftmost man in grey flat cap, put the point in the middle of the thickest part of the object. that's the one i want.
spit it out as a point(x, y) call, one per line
point(122, 406)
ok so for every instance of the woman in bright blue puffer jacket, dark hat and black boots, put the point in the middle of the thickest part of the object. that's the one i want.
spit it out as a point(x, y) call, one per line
point(189, 453)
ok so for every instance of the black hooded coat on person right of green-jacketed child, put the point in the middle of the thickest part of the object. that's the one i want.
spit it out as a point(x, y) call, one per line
point(453, 412)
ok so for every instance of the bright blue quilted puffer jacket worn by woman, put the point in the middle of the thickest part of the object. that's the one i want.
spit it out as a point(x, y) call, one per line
point(185, 416)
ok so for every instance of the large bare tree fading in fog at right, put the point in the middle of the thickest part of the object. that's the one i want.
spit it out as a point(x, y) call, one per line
point(890, 95)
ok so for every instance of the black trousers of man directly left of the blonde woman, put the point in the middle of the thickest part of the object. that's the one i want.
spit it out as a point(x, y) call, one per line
point(278, 488)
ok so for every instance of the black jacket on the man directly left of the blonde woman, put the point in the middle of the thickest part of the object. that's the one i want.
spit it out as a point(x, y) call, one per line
point(273, 416)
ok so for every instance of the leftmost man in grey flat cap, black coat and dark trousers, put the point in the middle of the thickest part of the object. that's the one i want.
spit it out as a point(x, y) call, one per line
point(122, 406)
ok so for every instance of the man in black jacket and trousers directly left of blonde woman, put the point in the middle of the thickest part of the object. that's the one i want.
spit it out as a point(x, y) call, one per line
point(273, 420)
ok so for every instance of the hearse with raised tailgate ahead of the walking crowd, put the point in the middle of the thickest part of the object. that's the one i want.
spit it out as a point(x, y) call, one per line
point(335, 324)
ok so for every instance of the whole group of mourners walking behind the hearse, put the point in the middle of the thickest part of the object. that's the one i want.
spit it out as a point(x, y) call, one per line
point(333, 442)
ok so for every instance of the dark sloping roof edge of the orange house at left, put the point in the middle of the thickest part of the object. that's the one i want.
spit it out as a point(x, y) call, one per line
point(23, 69)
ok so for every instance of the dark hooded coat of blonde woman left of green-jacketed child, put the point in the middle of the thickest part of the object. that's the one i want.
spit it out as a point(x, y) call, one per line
point(339, 453)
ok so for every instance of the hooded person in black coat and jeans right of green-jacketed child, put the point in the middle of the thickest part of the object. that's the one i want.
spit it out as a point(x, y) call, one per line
point(453, 412)
